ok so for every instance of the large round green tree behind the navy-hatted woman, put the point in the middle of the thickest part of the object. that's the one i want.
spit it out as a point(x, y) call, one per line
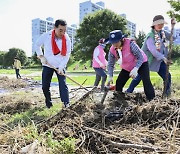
point(95, 26)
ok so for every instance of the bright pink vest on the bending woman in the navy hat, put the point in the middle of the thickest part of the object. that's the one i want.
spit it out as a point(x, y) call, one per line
point(128, 59)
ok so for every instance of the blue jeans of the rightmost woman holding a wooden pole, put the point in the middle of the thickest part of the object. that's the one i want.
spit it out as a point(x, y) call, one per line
point(162, 74)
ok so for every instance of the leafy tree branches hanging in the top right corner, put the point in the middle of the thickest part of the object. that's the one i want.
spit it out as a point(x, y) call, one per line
point(175, 5)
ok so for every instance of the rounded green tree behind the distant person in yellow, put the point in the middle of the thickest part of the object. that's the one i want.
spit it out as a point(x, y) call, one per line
point(11, 54)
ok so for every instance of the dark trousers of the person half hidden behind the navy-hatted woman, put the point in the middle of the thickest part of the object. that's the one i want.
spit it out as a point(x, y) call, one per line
point(100, 73)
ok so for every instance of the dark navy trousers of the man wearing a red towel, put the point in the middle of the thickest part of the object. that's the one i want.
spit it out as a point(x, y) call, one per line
point(47, 74)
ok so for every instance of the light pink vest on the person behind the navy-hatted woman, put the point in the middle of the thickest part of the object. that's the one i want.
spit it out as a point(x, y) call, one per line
point(101, 57)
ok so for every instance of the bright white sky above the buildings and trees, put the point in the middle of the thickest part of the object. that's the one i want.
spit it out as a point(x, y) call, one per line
point(16, 16)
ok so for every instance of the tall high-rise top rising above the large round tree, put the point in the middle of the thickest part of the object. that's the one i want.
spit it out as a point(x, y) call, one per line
point(89, 7)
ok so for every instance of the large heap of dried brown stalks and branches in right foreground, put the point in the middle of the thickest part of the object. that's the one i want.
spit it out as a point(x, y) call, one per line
point(143, 127)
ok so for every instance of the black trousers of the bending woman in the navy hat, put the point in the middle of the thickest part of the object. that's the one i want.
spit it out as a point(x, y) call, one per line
point(144, 73)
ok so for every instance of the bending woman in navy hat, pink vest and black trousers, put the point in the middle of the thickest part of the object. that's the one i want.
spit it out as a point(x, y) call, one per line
point(131, 59)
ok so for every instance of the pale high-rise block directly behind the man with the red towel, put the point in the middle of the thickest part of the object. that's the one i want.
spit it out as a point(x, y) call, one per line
point(40, 26)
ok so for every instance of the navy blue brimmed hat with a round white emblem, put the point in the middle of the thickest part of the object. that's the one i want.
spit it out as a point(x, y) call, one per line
point(115, 36)
